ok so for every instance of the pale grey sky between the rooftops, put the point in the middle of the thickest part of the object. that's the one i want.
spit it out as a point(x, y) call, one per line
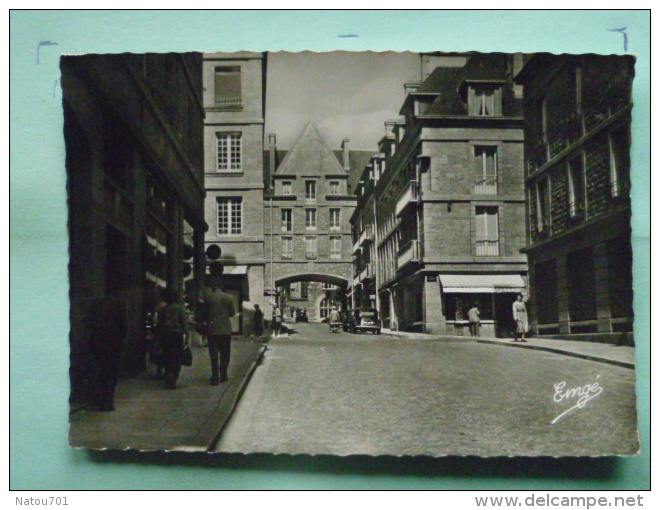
point(344, 94)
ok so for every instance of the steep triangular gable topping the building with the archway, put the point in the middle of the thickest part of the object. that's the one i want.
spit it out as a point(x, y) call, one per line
point(310, 155)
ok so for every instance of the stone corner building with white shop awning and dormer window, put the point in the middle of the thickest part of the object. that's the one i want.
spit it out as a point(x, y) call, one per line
point(448, 199)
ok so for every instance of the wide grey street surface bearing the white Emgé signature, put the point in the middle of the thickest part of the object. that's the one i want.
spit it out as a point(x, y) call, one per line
point(322, 393)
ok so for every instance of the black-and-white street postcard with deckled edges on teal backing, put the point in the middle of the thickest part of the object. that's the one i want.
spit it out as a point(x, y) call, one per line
point(351, 253)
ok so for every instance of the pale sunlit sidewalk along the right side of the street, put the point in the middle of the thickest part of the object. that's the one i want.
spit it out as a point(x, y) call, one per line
point(623, 356)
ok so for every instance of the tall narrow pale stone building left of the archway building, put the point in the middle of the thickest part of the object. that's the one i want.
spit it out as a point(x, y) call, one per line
point(234, 101)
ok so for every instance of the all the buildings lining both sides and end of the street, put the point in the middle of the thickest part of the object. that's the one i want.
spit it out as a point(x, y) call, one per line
point(504, 174)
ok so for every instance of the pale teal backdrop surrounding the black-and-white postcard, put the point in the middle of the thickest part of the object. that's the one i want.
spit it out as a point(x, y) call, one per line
point(39, 455)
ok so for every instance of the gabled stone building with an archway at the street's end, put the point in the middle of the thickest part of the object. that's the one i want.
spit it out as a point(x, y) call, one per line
point(306, 222)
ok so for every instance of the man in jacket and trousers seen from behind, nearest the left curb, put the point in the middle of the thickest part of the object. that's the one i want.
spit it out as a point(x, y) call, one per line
point(219, 309)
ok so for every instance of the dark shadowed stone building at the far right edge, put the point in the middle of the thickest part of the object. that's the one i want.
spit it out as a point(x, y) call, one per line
point(577, 154)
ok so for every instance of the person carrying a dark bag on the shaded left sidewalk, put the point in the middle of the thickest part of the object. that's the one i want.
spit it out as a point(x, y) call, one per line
point(172, 331)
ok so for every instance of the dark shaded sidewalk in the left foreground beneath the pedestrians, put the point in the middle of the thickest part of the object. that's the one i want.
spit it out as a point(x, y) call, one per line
point(148, 417)
